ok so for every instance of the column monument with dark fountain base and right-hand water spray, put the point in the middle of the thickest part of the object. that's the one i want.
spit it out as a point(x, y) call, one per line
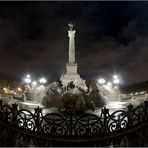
point(71, 90)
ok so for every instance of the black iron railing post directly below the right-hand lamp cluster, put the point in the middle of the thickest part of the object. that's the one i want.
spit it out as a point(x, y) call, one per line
point(104, 116)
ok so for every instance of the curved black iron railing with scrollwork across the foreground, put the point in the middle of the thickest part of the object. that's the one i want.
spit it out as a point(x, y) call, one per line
point(25, 128)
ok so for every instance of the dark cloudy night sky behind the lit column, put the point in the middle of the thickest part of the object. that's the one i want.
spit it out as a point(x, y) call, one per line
point(111, 37)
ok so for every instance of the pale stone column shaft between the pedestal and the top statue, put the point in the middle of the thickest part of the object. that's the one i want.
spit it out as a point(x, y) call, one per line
point(71, 35)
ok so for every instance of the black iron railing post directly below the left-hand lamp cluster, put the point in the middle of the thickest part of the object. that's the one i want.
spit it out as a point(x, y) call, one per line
point(37, 118)
